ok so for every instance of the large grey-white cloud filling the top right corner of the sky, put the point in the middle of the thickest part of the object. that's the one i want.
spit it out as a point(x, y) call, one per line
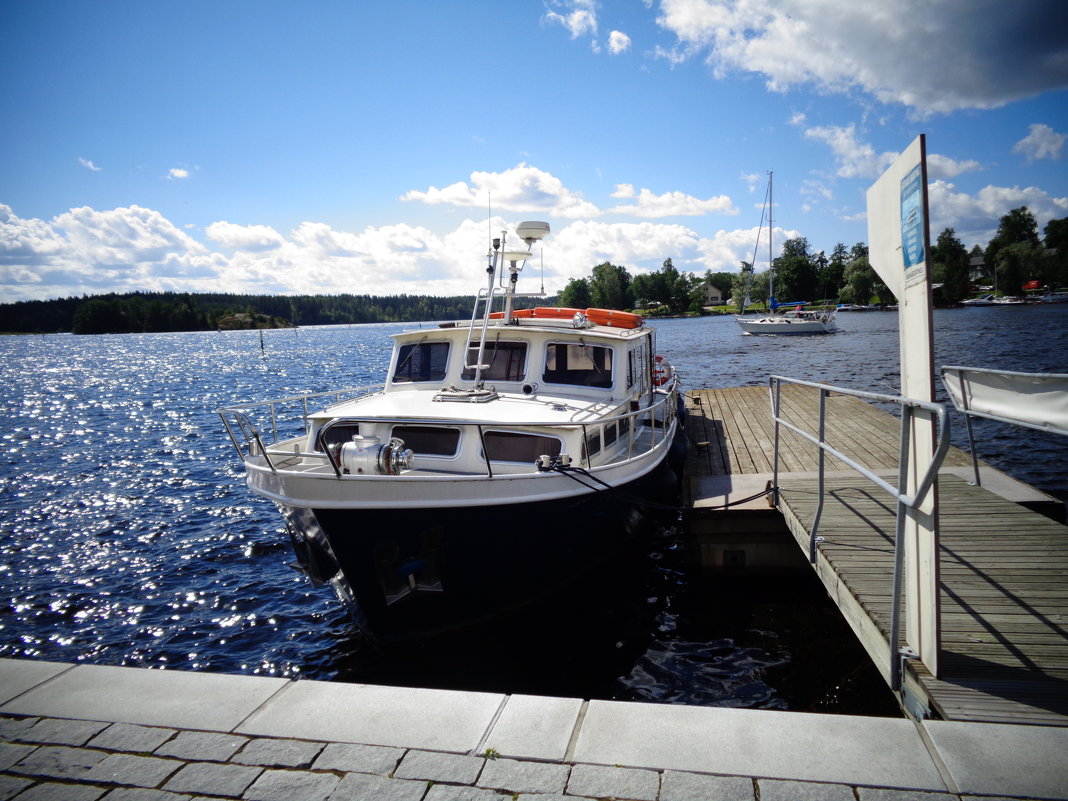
point(930, 57)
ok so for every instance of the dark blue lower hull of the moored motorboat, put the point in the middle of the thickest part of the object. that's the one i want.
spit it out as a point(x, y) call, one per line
point(415, 573)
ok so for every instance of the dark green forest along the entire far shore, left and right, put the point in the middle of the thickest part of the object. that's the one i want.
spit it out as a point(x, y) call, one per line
point(1015, 257)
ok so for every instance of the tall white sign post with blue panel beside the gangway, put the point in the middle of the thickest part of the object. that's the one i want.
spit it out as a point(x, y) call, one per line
point(899, 250)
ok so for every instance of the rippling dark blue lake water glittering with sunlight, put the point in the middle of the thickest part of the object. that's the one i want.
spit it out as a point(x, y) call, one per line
point(129, 537)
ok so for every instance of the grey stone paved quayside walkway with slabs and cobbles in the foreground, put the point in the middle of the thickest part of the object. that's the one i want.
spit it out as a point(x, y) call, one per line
point(125, 734)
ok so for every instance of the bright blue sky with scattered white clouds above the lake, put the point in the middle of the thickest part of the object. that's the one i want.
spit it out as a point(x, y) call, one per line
point(375, 148)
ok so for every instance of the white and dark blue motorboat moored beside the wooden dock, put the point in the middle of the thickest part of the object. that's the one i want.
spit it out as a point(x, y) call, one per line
point(504, 459)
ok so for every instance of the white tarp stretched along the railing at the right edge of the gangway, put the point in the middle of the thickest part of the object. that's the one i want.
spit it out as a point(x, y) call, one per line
point(1033, 400)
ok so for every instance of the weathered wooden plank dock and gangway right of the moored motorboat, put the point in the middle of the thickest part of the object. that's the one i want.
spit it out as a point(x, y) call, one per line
point(1004, 598)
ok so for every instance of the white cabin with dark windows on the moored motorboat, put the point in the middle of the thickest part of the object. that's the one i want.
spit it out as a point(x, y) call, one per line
point(545, 391)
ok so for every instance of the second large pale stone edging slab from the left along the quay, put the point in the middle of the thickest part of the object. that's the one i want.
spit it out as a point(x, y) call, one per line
point(177, 699)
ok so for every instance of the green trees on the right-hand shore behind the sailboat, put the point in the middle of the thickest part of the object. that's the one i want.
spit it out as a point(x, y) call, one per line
point(1014, 258)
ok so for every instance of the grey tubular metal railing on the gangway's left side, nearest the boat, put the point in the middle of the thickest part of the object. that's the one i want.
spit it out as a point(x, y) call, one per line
point(909, 407)
